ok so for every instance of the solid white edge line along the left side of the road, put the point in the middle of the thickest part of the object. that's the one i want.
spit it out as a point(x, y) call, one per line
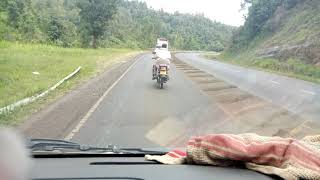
point(95, 106)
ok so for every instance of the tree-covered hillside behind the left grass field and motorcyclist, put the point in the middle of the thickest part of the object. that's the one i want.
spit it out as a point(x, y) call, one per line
point(112, 23)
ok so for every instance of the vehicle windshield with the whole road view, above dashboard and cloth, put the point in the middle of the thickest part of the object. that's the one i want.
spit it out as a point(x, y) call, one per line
point(151, 74)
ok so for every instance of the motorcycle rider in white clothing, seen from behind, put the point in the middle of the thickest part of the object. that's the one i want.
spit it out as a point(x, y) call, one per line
point(161, 57)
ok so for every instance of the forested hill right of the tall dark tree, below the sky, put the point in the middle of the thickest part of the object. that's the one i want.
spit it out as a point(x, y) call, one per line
point(137, 25)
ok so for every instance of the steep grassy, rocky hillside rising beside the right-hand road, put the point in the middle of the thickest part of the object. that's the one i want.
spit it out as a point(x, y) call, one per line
point(279, 35)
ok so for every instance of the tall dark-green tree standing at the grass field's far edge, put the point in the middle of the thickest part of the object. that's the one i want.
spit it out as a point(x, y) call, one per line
point(95, 15)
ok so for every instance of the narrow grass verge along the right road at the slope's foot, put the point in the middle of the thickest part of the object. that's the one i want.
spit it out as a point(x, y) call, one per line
point(291, 68)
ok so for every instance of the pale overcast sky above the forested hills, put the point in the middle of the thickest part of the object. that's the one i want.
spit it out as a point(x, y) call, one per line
point(225, 11)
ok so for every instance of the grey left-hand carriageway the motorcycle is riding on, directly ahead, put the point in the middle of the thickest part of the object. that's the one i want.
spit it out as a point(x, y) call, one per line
point(136, 113)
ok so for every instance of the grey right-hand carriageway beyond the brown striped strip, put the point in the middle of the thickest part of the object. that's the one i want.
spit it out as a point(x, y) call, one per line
point(297, 96)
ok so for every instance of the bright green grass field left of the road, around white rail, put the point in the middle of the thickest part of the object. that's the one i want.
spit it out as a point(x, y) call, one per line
point(19, 61)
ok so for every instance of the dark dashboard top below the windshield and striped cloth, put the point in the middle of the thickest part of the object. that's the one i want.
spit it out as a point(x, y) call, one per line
point(131, 168)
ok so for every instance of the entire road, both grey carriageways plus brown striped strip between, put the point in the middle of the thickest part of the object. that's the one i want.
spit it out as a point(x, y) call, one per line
point(203, 98)
